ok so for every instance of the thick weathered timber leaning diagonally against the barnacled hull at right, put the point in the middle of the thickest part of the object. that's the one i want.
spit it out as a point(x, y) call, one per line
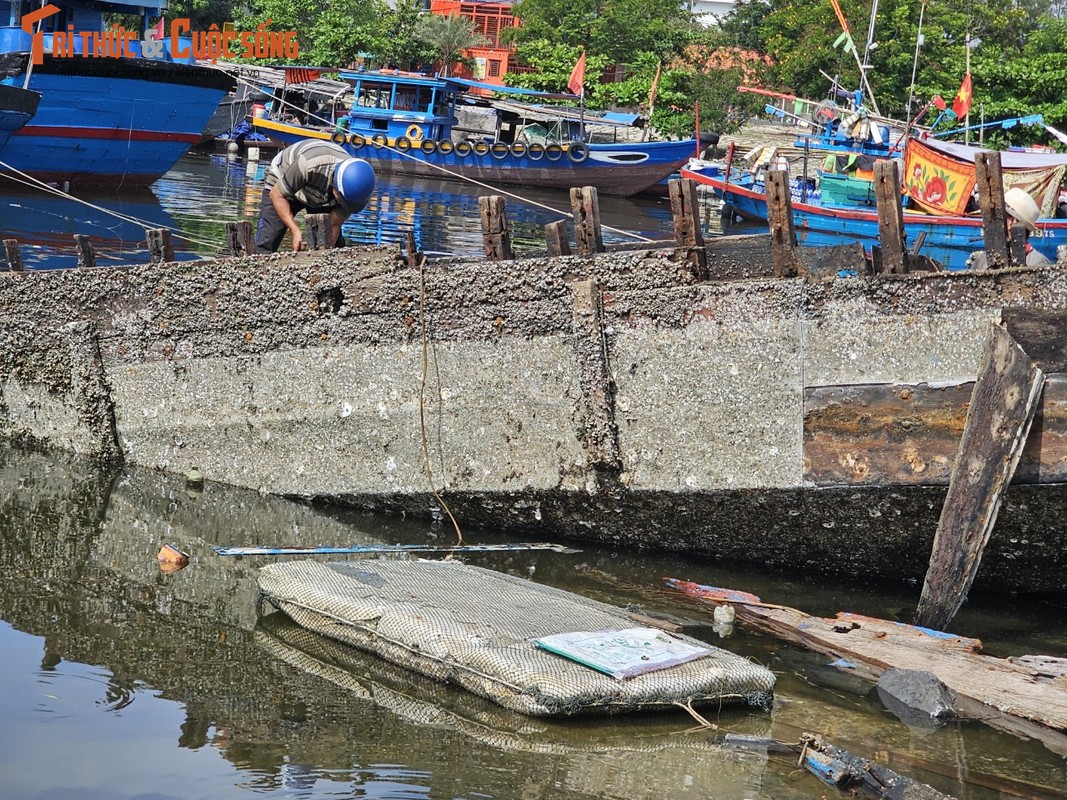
point(1004, 404)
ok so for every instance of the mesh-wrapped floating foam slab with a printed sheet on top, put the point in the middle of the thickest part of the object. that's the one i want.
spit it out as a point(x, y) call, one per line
point(530, 648)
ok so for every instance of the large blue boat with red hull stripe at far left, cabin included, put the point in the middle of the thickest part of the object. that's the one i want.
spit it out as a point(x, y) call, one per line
point(104, 120)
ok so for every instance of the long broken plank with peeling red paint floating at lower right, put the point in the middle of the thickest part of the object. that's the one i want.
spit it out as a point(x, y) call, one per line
point(1007, 696)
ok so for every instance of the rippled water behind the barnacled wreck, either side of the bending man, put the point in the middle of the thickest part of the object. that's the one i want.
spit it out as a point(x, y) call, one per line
point(204, 191)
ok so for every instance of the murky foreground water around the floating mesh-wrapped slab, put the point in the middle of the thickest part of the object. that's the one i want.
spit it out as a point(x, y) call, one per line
point(119, 681)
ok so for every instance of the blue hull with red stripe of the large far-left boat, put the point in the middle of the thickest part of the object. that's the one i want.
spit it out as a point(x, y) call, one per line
point(114, 122)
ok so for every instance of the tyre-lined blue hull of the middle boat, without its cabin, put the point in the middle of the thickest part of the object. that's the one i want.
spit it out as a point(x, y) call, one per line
point(613, 169)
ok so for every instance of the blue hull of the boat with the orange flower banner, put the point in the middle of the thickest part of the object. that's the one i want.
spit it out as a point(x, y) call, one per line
point(949, 241)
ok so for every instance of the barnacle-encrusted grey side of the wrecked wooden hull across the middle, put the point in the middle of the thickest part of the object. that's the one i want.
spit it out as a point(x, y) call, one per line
point(612, 397)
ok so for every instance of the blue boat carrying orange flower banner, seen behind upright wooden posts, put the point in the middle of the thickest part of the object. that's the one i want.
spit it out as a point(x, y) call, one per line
point(938, 180)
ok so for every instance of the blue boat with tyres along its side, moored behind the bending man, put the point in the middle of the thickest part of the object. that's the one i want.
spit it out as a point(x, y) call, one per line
point(409, 124)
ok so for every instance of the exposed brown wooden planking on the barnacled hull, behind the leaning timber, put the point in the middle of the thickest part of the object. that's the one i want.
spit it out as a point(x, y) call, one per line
point(889, 435)
